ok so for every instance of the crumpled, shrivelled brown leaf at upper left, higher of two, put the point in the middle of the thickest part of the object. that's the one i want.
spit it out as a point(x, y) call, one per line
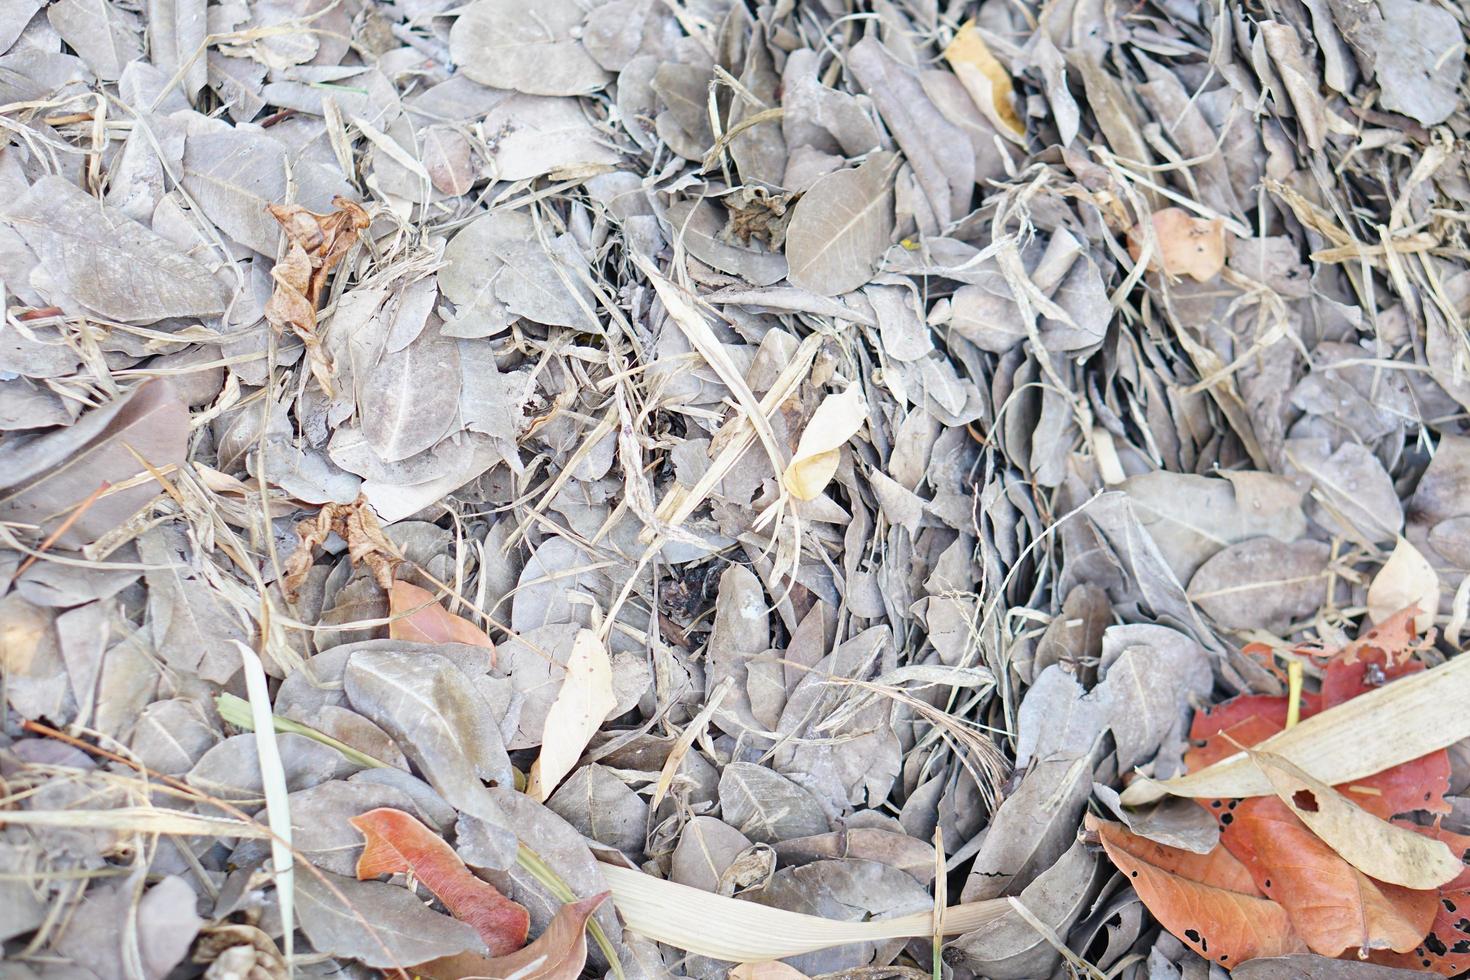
point(315, 245)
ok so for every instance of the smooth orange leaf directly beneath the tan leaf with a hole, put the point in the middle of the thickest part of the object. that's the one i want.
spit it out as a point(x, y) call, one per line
point(1333, 906)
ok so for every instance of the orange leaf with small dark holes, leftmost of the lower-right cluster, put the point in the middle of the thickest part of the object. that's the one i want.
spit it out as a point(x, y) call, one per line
point(1221, 925)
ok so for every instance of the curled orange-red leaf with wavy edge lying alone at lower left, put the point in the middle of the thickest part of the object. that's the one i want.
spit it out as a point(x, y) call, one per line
point(396, 844)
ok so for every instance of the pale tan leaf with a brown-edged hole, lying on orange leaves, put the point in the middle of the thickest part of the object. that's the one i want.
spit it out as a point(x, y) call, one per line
point(1372, 846)
